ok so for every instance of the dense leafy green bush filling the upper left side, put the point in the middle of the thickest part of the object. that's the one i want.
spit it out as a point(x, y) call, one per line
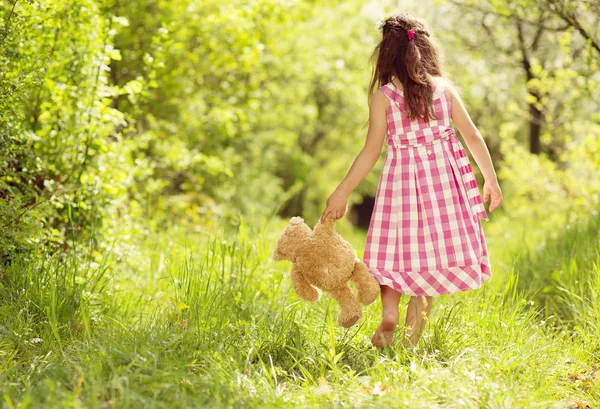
point(59, 129)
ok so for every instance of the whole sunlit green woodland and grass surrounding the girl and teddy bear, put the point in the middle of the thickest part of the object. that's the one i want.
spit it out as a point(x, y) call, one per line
point(151, 151)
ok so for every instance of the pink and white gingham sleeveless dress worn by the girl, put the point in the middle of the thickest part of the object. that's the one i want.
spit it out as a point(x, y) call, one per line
point(426, 236)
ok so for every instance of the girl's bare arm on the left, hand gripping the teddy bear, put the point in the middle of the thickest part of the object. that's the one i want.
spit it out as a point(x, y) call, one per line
point(364, 162)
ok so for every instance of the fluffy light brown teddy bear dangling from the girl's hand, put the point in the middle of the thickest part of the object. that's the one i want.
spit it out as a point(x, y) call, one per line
point(323, 259)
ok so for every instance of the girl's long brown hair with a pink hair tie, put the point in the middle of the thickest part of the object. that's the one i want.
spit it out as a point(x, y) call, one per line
point(412, 61)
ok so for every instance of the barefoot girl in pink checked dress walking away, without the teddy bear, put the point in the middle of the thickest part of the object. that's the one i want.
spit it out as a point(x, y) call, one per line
point(425, 237)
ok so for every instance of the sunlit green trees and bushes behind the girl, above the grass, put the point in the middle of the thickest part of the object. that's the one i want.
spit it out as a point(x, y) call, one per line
point(192, 111)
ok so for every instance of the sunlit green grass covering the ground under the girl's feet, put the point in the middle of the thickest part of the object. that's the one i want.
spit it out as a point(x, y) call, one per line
point(207, 320)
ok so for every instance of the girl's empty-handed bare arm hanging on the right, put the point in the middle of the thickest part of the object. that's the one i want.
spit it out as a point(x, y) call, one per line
point(478, 148)
